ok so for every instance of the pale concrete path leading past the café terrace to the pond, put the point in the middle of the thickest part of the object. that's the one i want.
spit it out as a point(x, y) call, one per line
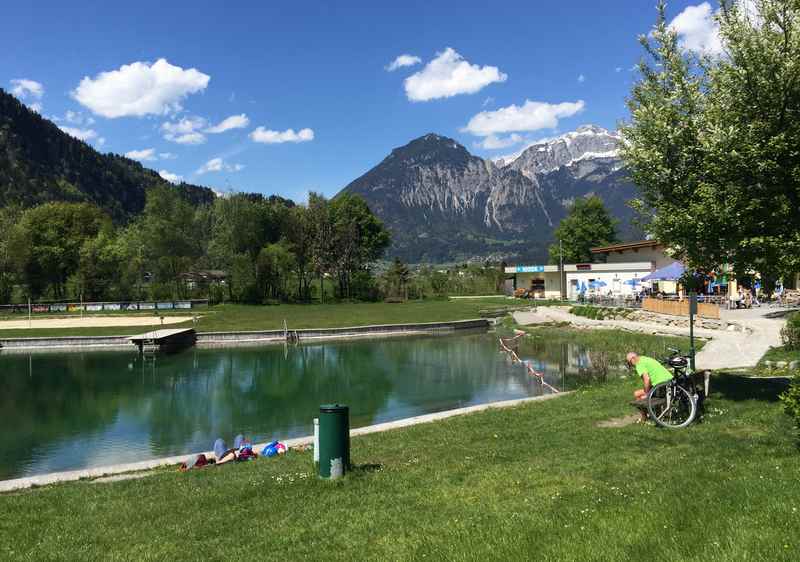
point(725, 350)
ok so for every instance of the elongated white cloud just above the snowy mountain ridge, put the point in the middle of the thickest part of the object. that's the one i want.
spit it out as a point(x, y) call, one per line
point(531, 116)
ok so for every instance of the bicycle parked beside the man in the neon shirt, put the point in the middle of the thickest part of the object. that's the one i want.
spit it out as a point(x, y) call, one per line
point(675, 403)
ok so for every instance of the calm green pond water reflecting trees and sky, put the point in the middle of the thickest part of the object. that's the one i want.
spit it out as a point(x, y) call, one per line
point(65, 411)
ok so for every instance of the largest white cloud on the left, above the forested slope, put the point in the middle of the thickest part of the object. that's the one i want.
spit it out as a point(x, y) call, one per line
point(139, 89)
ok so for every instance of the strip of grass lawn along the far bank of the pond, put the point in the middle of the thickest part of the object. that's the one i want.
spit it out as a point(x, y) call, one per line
point(231, 317)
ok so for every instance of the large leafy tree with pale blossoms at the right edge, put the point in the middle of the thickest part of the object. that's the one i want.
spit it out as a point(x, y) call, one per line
point(712, 142)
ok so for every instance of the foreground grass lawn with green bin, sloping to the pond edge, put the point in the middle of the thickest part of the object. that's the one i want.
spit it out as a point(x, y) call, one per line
point(536, 482)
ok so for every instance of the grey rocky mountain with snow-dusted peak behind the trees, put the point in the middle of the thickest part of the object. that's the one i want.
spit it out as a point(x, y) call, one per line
point(444, 204)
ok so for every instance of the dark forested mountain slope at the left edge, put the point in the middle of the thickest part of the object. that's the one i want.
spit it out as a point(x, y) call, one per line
point(39, 163)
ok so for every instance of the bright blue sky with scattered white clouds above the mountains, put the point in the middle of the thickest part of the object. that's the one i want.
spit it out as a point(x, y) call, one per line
point(309, 80)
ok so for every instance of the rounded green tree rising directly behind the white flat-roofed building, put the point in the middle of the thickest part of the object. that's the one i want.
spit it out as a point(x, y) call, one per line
point(587, 225)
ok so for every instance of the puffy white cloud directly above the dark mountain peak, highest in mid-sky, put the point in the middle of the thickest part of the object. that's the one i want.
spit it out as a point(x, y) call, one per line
point(448, 75)
